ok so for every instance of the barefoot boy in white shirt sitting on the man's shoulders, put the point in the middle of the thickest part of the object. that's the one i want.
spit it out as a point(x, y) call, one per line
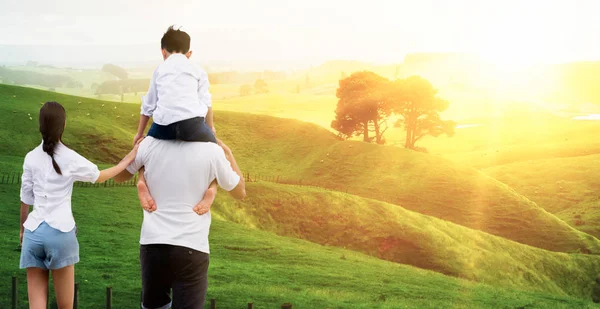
point(180, 105)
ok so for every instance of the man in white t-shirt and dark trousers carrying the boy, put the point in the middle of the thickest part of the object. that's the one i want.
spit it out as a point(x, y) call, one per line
point(174, 251)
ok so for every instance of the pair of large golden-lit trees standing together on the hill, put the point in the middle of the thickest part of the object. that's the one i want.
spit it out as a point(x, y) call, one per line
point(367, 102)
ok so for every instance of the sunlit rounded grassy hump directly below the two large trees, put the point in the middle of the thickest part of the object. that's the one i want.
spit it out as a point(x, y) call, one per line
point(430, 185)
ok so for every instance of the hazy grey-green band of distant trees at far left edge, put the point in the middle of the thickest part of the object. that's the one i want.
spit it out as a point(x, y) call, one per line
point(17, 77)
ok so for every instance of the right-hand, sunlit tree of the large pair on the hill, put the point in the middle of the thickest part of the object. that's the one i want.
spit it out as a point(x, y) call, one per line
point(417, 102)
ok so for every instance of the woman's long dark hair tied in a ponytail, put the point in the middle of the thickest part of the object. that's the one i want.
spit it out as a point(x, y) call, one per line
point(52, 126)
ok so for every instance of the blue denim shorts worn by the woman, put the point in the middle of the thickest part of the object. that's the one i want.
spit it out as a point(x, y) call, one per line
point(49, 248)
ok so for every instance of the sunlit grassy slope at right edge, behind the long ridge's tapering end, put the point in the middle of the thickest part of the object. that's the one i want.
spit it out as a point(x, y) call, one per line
point(566, 187)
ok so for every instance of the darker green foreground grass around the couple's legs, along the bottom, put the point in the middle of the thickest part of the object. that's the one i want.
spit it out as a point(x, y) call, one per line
point(252, 265)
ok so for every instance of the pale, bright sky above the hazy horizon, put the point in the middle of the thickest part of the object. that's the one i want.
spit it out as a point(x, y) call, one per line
point(380, 31)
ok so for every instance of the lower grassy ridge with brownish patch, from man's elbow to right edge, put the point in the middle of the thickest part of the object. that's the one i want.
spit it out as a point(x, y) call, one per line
point(393, 233)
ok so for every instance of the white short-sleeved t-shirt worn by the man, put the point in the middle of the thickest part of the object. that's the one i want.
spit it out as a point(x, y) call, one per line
point(178, 174)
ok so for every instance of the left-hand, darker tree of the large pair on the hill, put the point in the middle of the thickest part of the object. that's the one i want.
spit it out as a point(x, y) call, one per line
point(362, 107)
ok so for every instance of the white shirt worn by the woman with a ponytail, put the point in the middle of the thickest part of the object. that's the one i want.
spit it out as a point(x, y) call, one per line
point(49, 192)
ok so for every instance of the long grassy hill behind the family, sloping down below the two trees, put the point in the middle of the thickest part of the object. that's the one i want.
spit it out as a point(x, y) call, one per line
point(419, 182)
